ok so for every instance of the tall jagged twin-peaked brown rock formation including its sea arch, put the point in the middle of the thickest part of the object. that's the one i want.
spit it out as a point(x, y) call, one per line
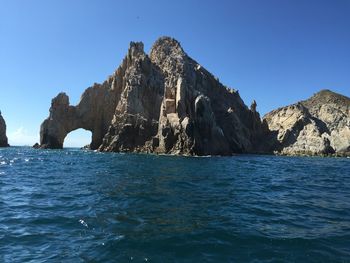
point(164, 102)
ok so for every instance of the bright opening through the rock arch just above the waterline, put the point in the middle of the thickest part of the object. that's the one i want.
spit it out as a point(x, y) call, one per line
point(77, 138)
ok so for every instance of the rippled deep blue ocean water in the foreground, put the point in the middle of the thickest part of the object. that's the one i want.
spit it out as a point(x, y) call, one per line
point(81, 206)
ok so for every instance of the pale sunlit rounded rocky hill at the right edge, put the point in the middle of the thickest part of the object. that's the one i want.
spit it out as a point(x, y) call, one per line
point(317, 126)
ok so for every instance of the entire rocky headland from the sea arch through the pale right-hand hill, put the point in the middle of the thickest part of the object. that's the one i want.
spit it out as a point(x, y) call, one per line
point(165, 102)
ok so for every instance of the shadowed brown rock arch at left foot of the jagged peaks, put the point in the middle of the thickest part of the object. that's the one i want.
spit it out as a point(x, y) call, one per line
point(93, 113)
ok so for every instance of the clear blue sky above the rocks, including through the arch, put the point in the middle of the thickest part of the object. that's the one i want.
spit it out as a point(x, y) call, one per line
point(274, 51)
